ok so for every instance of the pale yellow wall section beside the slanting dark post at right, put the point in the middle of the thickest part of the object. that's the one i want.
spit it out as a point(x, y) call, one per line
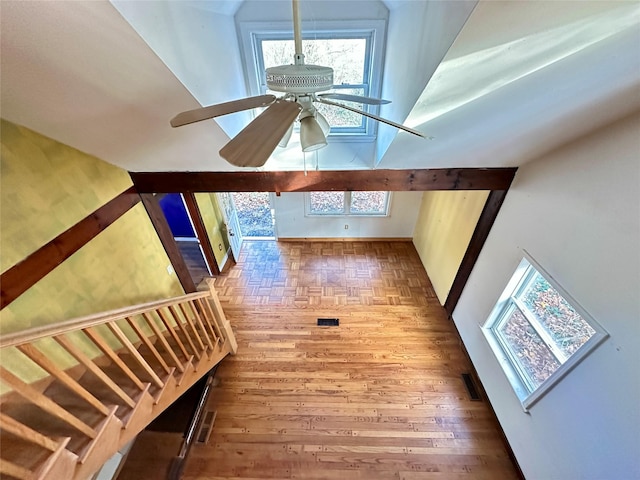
point(445, 224)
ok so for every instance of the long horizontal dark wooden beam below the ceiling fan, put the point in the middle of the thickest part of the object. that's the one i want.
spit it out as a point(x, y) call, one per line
point(353, 180)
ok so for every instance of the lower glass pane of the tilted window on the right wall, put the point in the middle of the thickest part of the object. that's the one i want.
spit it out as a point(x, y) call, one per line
point(535, 358)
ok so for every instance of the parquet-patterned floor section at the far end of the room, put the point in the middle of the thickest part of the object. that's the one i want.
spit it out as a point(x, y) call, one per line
point(327, 273)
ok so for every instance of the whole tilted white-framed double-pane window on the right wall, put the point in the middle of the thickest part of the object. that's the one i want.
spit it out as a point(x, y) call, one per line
point(538, 332)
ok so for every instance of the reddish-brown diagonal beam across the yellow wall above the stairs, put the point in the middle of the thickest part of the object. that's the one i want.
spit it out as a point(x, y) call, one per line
point(22, 276)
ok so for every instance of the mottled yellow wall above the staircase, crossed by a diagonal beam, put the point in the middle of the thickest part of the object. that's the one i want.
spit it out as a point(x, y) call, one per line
point(47, 187)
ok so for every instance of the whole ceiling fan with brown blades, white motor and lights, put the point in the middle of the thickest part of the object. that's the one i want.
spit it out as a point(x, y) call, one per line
point(301, 84)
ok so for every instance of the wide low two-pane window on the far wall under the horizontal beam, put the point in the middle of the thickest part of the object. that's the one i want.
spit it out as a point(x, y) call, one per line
point(347, 203)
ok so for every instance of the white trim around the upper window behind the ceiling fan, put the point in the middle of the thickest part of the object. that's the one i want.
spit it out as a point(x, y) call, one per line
point(375, 28)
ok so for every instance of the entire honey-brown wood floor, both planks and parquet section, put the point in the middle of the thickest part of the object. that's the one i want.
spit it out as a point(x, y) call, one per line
point(378, 397)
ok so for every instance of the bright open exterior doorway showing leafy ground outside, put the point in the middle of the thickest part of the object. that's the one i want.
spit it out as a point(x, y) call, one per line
point(255, 214)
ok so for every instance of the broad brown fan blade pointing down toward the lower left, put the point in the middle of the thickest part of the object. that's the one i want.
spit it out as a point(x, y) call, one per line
point(253, 146)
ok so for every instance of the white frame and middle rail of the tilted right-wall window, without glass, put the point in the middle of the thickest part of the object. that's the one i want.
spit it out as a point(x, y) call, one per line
point(527, 393)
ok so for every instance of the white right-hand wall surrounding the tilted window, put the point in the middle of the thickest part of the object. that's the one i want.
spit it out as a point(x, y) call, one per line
point(577, 212)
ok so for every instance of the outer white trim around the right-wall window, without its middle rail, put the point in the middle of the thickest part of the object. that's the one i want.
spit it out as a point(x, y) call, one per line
point(524, 391)
